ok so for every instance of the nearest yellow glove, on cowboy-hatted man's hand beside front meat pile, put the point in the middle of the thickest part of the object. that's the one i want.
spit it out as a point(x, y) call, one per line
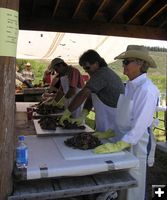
point(111, 147)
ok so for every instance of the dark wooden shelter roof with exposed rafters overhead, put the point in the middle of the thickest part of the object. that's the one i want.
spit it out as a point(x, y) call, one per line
point(127, 18)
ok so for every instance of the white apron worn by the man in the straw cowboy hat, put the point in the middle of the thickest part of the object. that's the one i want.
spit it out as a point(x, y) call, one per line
point(123, 116)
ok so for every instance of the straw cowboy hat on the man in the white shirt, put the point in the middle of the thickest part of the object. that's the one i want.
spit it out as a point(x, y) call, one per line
point(140, 52)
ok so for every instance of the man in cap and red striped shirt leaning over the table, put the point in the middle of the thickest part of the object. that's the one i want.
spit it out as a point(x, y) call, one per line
point(71, 82)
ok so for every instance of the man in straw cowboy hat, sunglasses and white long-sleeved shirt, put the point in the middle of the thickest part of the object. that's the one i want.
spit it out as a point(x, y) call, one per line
point(135, 111)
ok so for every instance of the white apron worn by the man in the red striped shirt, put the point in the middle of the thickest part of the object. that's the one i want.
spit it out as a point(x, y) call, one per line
point(65, 85)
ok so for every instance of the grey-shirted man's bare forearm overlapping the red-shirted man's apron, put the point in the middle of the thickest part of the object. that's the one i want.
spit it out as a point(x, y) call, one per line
point(79, 99)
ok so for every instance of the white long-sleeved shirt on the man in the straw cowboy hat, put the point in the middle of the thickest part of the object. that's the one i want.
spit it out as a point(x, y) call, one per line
point(144, 95)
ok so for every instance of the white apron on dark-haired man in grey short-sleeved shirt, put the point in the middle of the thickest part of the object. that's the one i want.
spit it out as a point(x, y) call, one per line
point(104, 115)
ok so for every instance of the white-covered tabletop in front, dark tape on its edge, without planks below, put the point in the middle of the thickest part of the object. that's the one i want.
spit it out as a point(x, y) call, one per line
point(50, 157)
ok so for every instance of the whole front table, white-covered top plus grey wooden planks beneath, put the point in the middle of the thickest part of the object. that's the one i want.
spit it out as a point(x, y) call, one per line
point(56, 171)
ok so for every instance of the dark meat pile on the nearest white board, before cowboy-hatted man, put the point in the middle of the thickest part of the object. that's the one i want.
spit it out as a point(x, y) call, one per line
point(83, 141)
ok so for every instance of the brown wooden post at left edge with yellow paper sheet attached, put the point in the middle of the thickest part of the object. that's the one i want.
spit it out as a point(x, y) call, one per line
point(7, 106)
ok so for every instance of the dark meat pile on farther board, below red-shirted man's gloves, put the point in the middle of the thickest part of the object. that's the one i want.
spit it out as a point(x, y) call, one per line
point(43, 109)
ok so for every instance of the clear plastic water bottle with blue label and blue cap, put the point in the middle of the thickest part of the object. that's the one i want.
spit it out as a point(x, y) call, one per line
point(21, 153)
